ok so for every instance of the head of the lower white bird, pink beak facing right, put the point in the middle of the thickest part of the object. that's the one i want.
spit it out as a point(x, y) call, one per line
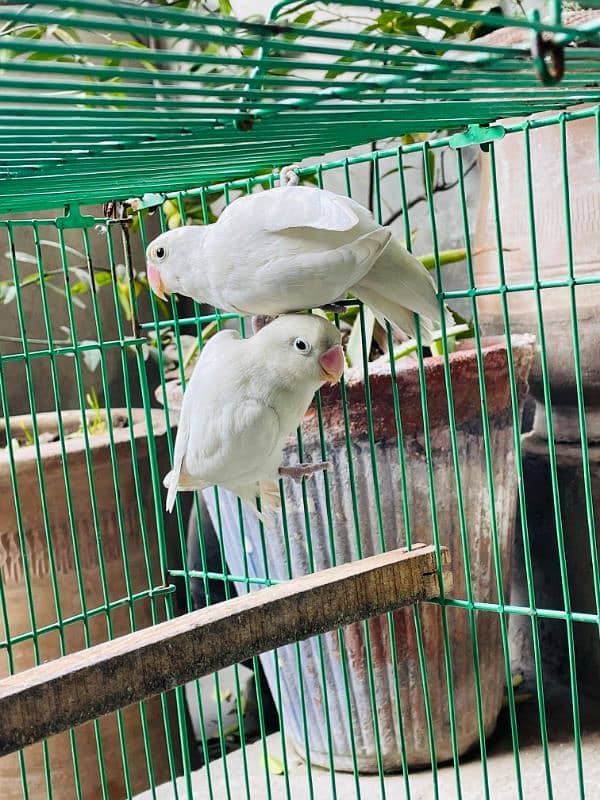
point(307, 348)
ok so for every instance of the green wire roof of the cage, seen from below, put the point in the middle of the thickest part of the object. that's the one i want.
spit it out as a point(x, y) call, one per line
point(157, 109)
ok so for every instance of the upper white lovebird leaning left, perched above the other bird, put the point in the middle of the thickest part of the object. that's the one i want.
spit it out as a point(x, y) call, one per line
point(293, 248)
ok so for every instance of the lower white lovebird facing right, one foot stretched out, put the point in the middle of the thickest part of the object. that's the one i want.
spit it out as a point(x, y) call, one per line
point(244, 399)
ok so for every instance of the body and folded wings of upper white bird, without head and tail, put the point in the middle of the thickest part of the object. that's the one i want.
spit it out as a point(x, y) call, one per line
point(289, 249)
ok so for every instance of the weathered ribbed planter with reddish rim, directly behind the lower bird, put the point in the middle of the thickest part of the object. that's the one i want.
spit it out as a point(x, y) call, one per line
point(477, 511)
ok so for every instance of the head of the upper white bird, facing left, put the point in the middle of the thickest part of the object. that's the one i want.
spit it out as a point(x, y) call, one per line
point(169, 257)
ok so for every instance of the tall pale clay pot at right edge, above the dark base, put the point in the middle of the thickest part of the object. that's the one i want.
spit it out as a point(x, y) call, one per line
point(552, 254)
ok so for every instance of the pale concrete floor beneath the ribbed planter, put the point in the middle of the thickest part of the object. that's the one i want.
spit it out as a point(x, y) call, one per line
point(501, 768)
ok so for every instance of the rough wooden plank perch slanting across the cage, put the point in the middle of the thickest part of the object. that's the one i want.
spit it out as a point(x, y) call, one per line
point(60, 694)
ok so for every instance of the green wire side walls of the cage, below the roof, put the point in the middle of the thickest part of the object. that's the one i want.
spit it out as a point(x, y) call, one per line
point(159, 586)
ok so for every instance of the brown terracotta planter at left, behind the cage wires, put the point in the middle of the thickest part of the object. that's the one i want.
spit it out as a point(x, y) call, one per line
point(12, 571)
